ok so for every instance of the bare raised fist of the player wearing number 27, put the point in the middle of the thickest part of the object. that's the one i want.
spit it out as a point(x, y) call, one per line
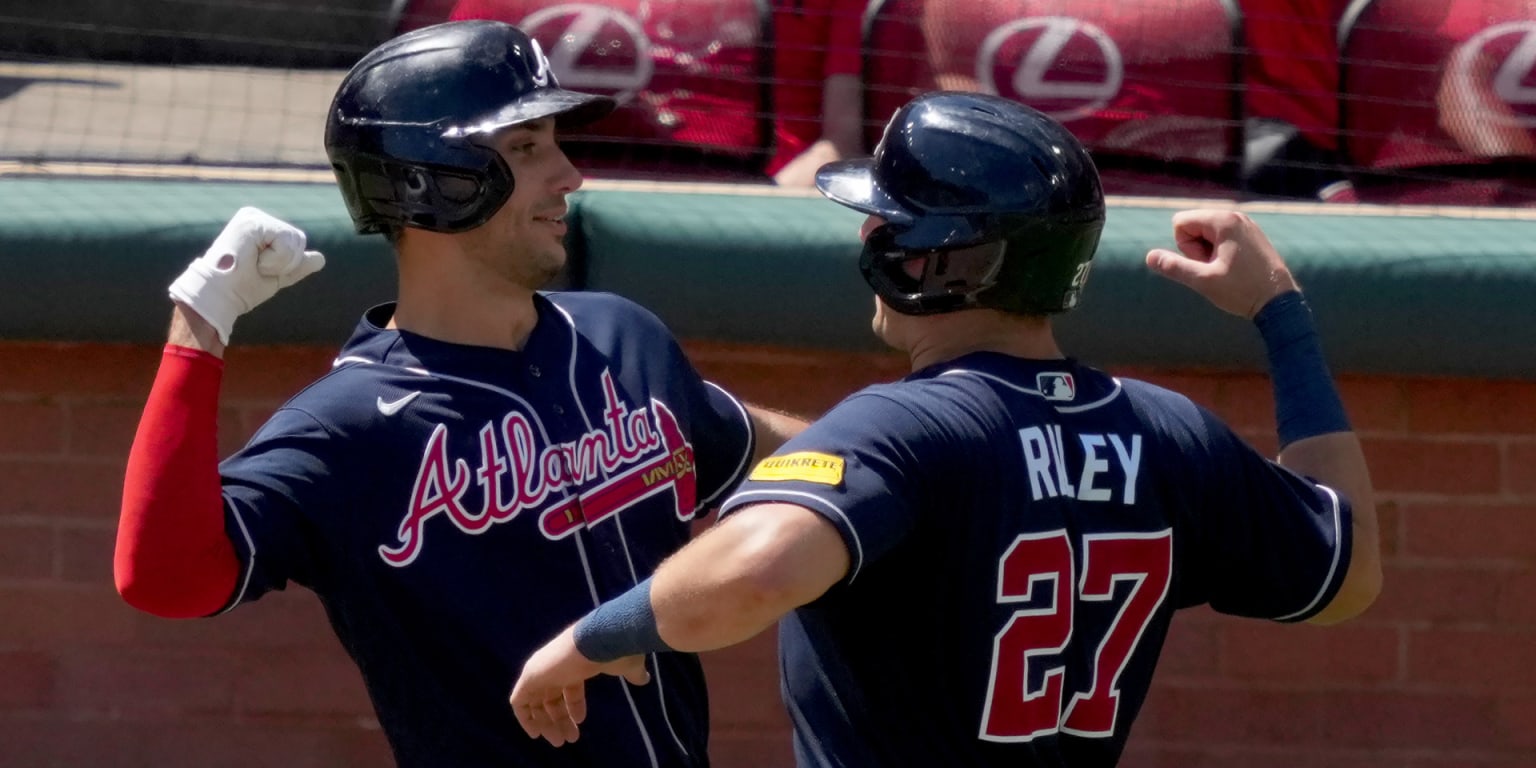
point(1225, 257)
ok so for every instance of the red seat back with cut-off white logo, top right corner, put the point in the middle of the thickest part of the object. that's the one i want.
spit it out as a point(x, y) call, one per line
point(1448, 87)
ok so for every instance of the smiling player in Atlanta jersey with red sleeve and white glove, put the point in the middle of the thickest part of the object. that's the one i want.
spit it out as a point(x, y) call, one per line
point(485, 465)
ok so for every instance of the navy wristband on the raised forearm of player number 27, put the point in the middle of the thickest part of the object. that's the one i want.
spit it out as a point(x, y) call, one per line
point(1306, 402)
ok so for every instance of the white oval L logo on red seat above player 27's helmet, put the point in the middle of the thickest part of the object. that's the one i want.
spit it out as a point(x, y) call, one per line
point(1062, 67)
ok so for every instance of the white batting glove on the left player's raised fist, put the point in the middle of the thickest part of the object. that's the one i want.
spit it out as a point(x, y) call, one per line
point(251, 260)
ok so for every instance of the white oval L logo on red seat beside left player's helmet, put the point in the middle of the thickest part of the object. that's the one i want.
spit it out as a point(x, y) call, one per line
point(594, 48)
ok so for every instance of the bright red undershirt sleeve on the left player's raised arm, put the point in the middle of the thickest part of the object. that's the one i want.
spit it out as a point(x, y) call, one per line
point(173, 555)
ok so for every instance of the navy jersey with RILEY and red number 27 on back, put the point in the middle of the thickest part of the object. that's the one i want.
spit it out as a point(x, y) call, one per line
point(1021, 534)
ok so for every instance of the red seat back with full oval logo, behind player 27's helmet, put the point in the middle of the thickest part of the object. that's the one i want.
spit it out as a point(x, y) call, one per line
point(1130, 78)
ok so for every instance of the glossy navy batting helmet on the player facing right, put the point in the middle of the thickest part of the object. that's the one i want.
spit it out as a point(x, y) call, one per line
point(408, 130)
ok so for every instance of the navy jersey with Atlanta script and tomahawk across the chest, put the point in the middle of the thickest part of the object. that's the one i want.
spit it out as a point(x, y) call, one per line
point(455, 508)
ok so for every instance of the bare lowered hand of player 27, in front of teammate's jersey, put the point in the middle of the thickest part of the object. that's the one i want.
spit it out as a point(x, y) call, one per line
point(551, 697)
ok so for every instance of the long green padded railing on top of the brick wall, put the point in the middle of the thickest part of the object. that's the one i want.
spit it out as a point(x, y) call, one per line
point(88, 260)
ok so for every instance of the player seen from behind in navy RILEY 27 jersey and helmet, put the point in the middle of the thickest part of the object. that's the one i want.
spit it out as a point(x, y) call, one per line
point(978, 564)
